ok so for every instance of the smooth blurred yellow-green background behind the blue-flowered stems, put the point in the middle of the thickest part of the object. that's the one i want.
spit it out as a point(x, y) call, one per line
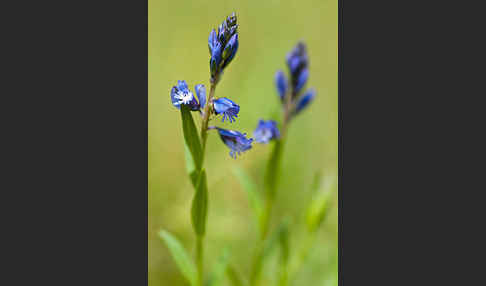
point(178, 49)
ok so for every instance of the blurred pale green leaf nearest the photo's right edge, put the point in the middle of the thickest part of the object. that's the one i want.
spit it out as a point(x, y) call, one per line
point(318, 208)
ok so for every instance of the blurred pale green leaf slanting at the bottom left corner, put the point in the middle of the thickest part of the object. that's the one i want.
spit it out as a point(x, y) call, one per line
point(185, 264)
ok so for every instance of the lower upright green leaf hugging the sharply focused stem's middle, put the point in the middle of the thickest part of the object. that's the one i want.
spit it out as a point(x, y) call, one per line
point(200, 205)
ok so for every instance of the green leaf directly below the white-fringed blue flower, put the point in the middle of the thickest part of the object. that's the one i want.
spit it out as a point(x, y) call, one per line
point(191, 136)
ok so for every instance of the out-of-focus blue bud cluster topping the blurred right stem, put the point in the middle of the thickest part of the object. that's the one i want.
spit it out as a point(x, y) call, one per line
point(298, 64)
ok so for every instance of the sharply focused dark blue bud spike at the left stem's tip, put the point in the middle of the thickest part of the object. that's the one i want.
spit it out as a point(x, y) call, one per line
point(222, 46)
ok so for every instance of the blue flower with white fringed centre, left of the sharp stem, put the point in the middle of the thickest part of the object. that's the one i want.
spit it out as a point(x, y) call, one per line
point(180, 94)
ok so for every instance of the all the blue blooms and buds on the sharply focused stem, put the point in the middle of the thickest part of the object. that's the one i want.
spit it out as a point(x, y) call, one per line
point(222, 48)
